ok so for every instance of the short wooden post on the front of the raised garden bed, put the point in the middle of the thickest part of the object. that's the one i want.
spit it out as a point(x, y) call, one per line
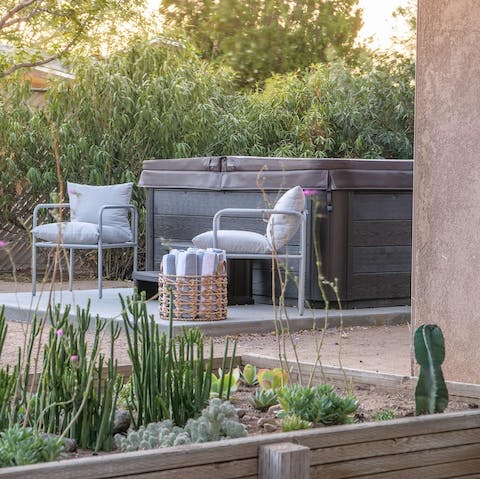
point(284, 461)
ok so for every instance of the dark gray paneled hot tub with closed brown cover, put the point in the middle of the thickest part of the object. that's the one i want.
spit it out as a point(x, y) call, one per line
point(363, 226)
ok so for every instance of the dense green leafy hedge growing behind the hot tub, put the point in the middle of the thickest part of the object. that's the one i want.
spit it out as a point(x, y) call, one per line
point(163, 102)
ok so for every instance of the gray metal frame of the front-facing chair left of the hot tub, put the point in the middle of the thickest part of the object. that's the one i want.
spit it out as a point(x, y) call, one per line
point(99, 246)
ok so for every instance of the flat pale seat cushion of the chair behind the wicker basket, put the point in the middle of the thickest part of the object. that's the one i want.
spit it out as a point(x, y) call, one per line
point(234, 241)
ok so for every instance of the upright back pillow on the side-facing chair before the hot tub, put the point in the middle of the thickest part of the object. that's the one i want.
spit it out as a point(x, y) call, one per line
point(281, 228)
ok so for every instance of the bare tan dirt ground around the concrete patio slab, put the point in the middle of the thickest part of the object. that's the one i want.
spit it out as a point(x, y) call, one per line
point(382, 349)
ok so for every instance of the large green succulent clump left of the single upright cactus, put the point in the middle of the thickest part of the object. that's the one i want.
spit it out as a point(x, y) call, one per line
point(319, 404)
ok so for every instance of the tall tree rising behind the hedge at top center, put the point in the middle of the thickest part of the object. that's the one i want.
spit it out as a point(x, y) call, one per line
point(260, 37)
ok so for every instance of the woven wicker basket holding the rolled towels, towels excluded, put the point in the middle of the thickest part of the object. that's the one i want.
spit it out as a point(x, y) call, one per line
point(194, 298)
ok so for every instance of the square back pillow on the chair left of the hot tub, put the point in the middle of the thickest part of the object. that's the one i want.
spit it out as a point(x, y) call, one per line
point(86, 201)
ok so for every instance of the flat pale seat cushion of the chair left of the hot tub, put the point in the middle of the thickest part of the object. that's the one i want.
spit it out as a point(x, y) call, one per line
point(77, 232)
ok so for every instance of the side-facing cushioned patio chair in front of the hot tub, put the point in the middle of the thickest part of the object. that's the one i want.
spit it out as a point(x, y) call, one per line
point(287, 216)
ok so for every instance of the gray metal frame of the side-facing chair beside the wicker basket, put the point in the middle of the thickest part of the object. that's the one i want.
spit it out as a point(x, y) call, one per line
point(300, 256)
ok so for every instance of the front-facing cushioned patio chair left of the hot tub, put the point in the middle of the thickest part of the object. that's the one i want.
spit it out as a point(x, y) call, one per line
point(101, 218)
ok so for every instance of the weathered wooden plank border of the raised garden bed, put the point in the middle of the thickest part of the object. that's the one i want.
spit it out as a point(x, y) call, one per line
point(436, 446)
